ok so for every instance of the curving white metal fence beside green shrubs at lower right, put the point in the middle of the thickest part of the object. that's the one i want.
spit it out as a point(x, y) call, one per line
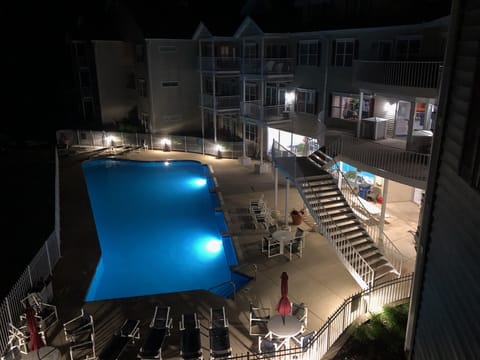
point(367, 301)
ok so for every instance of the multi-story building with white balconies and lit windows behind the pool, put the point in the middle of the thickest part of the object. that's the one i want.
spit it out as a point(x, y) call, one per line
point(256, 84)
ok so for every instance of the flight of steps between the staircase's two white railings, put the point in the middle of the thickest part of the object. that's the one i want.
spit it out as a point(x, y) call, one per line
point(339, 223)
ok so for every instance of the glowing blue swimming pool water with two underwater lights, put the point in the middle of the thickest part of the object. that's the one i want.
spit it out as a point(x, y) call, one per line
point(158, 229)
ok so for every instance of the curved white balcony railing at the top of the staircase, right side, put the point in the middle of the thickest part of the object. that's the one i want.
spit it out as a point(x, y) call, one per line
point(407, 164)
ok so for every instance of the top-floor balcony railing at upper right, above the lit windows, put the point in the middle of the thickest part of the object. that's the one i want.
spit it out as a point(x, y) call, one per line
point(417, 74)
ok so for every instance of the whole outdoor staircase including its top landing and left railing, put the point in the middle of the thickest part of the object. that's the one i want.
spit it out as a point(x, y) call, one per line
point(336, 220)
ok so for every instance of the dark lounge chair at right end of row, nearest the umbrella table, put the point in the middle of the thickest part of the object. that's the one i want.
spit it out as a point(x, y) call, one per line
point(219, 334)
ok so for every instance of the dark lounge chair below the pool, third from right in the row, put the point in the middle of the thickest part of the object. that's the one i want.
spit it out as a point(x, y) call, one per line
point(158, 330)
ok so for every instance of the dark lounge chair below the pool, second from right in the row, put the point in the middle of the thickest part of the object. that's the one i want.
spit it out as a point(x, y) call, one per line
point(191, 347)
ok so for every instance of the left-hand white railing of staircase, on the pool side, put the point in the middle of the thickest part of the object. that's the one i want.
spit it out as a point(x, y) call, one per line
point(348, 255)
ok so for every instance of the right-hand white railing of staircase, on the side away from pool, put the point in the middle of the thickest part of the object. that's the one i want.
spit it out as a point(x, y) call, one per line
point(370, 224)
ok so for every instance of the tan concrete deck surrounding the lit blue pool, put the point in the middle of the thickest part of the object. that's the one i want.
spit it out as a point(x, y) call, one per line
point(318, 279)
